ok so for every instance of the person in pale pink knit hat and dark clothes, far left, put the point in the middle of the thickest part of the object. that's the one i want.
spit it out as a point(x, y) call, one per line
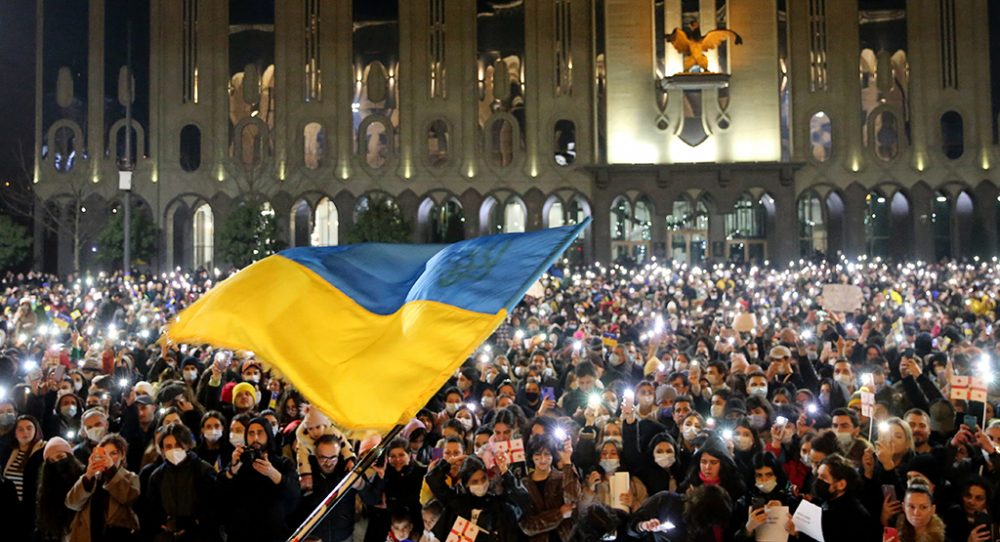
point(59, 472)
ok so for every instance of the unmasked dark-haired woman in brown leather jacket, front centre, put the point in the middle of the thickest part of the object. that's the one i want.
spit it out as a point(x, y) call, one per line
point(554, 489)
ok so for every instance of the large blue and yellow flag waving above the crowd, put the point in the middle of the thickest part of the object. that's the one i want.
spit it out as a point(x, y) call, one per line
point(368, 333)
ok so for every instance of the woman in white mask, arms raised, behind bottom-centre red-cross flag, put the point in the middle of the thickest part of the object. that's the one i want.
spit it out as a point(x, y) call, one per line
point(497, 510)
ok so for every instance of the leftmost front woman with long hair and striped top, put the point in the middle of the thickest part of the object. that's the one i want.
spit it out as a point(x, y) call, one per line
point(21, 465)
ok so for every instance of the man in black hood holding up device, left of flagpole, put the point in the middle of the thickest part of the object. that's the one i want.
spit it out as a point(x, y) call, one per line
point(259, 489)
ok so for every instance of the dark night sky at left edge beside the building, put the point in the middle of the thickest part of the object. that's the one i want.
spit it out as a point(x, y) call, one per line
point(17, 86)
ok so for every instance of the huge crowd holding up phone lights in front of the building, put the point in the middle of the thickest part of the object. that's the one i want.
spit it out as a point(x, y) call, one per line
point(650, 402)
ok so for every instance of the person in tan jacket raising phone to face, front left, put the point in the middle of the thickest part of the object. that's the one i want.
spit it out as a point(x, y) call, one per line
point(103, 497)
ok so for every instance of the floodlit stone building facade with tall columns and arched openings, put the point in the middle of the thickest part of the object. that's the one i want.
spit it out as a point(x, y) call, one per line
point(867, 130)
